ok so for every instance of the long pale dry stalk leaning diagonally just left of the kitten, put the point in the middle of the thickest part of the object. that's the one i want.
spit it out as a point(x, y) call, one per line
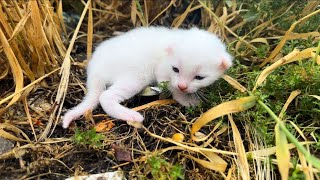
point(63, 86)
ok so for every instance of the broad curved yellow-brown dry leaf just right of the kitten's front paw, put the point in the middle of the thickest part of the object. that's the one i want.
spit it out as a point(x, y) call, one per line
point(237, 105)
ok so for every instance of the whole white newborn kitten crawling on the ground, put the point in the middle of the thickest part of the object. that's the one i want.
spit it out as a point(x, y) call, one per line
point(187, 59)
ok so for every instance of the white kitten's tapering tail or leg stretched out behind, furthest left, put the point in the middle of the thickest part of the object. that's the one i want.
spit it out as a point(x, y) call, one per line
point(90, 101)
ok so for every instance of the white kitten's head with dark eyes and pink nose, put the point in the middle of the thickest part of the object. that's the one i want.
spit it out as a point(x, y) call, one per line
point(197, 60)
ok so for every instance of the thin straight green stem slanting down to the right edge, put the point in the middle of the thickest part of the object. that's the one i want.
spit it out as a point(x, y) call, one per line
point(310, 158)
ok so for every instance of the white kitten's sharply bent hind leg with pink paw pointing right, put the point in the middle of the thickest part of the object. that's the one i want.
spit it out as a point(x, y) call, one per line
point(121, 90)
